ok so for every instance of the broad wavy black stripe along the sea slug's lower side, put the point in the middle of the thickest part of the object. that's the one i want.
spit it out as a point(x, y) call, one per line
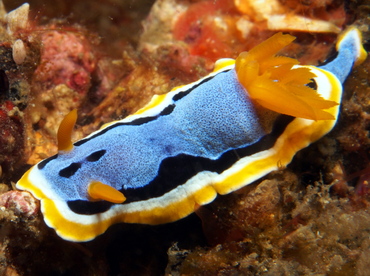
point(175, 171)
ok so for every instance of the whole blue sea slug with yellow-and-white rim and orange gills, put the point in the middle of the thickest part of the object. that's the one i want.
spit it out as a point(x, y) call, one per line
point(245, 119)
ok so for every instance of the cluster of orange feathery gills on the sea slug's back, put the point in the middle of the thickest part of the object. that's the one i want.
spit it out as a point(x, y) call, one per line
point(277, 83)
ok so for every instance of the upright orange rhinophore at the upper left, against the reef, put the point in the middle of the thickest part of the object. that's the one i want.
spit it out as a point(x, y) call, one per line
point(65, 131)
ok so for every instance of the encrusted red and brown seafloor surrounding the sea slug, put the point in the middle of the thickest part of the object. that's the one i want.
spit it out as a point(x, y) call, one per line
point(107, 58)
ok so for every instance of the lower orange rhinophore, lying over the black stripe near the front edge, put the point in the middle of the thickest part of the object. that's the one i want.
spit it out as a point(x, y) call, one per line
point(101, 191)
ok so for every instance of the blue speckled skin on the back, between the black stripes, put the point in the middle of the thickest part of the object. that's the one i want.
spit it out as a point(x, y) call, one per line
point(208, 121)
